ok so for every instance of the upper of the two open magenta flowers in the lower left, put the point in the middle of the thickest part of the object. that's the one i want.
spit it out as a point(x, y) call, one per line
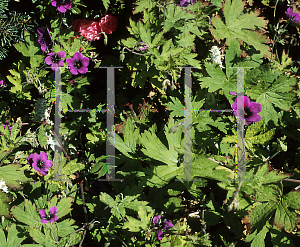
point(40, 163)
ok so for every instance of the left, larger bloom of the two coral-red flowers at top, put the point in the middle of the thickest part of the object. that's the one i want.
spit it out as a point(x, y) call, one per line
point(87, 28)
